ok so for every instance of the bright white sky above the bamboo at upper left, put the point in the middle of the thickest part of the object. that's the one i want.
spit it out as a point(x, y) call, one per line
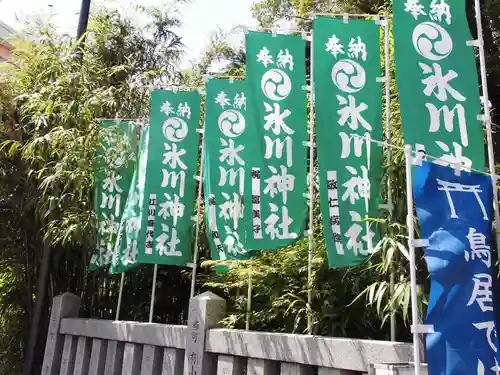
point(200, 17)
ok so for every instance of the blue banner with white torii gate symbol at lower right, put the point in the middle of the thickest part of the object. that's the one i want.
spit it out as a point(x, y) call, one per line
point(454, 214)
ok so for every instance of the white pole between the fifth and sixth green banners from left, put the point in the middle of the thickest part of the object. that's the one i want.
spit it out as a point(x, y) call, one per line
point(311, 187)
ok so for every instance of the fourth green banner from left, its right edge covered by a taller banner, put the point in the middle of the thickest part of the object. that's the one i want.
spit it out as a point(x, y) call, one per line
point(226, 138)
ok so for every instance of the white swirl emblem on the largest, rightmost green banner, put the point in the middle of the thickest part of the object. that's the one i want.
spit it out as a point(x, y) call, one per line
point(432, 41)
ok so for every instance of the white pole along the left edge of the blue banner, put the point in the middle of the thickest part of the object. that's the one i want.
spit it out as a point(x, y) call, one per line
point(411, 247)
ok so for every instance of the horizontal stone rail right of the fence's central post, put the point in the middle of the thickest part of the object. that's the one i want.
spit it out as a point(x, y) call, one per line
point(347, 354)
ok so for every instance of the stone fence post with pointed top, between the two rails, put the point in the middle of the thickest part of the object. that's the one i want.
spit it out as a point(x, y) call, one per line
point(205, 311)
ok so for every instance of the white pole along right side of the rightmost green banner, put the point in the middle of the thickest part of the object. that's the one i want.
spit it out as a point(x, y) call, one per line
point(487, 120)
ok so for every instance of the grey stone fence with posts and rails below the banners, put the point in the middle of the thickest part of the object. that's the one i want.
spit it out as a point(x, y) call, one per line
point(98, 347)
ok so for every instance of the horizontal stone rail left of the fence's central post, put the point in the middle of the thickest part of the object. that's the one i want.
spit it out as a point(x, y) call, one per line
point(169, 336)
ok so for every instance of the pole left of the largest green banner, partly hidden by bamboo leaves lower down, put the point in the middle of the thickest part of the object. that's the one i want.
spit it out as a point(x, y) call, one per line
point(388, 138)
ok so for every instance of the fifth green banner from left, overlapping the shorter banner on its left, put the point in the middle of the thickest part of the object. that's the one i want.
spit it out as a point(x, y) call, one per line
point(277, 158)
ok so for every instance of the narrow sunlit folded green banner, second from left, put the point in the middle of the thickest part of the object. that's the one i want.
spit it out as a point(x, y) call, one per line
point(127, 245)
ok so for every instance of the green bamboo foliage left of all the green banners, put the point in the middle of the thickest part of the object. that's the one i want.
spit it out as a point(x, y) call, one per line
point(51, 95)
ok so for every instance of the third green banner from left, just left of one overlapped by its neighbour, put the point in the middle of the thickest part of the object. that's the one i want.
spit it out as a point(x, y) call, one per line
point(170, 183)
